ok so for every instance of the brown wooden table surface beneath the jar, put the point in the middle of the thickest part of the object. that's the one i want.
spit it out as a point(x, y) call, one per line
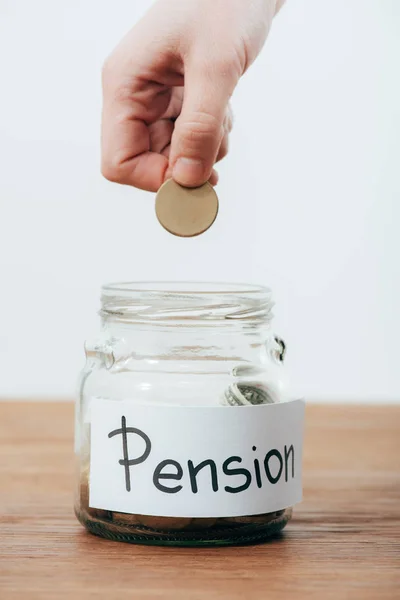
point(344, 540)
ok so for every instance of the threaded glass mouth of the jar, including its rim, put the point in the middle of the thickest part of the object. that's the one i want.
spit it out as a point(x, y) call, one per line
point(185, 302)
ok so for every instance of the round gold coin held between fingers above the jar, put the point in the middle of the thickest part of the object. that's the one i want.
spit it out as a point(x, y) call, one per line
point(186, 212)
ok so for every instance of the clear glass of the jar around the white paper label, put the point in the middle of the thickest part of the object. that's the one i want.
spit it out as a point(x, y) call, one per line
point(171, 345)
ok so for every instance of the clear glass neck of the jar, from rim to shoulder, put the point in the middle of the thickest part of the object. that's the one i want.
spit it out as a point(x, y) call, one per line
point(192, 321)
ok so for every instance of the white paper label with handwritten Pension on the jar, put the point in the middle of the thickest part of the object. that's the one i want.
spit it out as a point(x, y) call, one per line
point(177, 461)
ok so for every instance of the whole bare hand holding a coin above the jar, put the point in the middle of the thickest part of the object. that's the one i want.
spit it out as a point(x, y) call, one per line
point(166, 89)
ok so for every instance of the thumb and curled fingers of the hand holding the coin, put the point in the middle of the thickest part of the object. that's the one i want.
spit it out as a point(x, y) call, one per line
point(137, 128)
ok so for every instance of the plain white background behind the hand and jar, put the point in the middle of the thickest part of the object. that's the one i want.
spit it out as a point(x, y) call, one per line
point(309, 195)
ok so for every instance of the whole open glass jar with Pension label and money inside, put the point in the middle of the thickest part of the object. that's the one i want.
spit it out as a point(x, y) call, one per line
point(179, 374)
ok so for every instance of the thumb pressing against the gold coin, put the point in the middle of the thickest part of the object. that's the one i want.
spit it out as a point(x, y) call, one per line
point(199, 129)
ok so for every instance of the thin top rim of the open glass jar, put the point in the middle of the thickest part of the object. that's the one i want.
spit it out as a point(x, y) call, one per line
point(185, 287)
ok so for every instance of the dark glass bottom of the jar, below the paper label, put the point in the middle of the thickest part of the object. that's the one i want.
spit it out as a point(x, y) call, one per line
point(223, 532)
